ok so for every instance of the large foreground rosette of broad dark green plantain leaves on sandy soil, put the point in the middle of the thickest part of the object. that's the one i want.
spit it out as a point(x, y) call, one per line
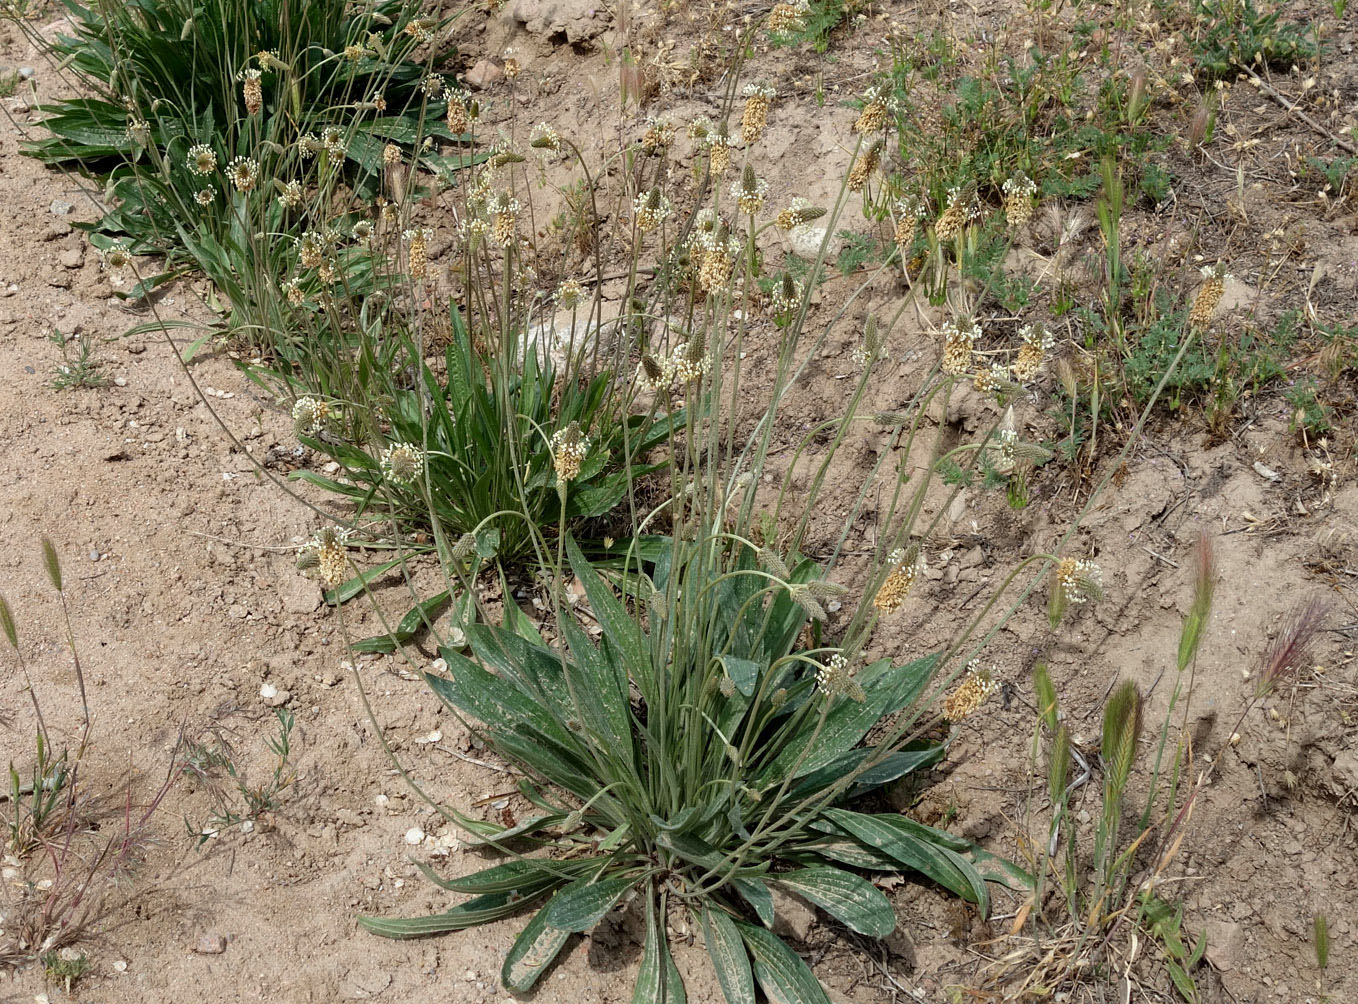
point(727, 776)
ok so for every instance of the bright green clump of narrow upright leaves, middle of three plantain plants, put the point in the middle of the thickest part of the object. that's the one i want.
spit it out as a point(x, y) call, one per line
point(484, 430)
